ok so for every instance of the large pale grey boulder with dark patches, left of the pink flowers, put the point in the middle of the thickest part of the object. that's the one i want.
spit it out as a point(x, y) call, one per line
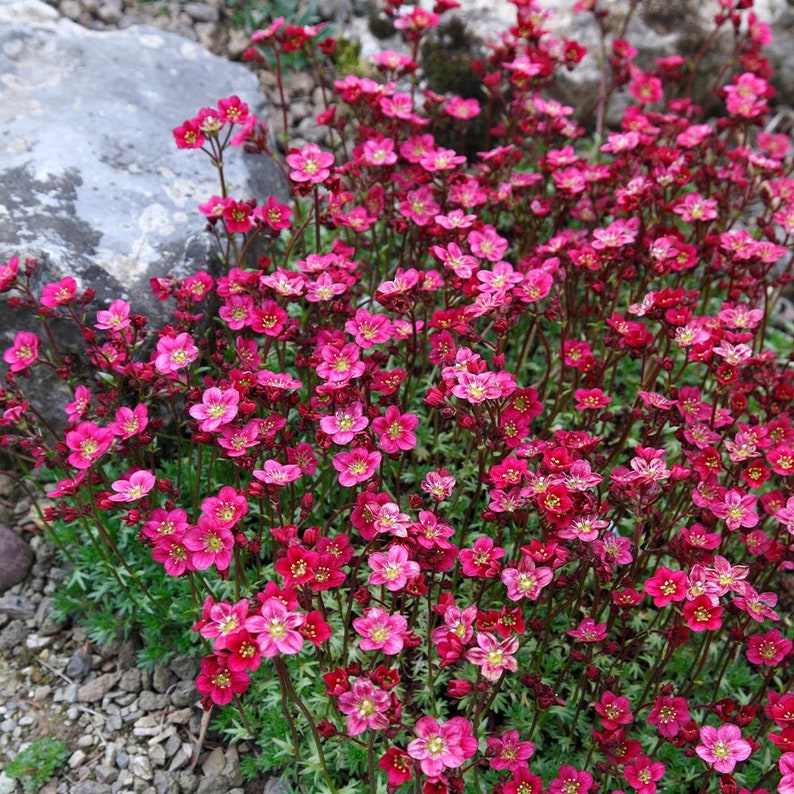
point(91, 182)
